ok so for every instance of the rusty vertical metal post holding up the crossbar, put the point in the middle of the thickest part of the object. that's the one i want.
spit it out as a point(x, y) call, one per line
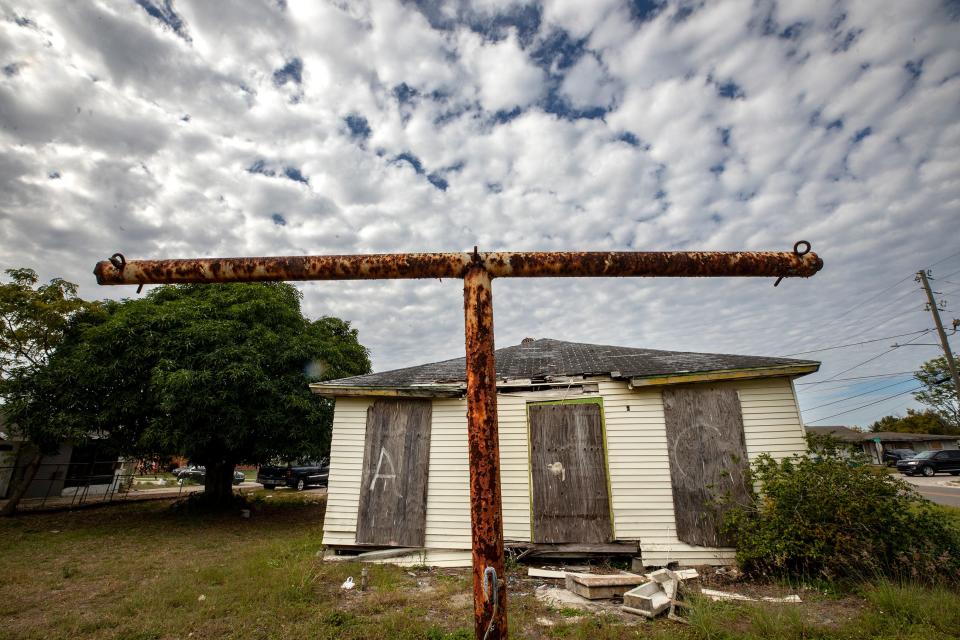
point(489, 599)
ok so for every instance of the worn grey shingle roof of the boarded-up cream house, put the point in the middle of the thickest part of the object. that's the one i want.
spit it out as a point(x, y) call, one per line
point(539, 359)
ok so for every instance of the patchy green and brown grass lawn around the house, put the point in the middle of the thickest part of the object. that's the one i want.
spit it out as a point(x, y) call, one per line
point(140, 571)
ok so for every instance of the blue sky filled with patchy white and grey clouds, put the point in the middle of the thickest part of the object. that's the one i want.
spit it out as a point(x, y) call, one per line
point(176, 129)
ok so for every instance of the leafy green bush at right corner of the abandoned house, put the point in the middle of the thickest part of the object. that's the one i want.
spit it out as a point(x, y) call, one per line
point(821, 517)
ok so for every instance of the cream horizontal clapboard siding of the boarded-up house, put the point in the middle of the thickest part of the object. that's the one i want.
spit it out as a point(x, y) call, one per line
point(636, 452)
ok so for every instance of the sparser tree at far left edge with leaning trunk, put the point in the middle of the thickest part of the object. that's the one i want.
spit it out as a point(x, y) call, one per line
point(33, 321)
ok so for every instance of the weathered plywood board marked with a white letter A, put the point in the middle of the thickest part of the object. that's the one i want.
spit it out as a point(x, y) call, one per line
point(396, 458)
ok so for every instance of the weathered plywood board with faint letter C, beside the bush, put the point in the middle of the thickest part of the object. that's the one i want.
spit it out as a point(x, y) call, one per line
point(708, 458)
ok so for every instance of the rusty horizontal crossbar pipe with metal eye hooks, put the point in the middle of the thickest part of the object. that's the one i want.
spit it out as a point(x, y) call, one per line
point(499, 264)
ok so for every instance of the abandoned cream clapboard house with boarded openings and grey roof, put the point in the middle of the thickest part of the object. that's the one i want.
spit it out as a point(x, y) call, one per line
point(601, 448)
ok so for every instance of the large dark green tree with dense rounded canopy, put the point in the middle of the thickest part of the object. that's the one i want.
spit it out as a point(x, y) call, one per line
point(217, 373)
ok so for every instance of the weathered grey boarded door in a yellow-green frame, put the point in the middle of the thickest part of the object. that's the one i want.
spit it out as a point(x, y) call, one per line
point(571, 502)
